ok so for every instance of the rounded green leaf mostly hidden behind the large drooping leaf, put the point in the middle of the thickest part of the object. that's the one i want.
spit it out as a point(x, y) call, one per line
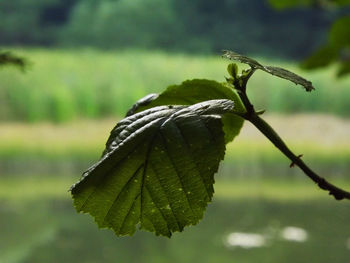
point(193, 91)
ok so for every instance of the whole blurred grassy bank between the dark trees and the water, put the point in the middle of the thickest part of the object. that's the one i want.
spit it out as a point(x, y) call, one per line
point(85, 85)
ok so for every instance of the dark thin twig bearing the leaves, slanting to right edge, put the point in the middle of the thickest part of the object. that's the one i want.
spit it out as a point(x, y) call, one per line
point(276, 140)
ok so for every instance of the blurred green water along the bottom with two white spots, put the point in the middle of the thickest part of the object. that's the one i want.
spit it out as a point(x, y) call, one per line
point(51, 231)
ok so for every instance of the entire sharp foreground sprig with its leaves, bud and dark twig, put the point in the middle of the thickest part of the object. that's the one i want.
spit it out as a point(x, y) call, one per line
point(158, 167)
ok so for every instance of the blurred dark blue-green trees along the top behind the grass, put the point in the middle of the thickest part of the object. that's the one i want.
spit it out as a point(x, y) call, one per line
point(196, 26)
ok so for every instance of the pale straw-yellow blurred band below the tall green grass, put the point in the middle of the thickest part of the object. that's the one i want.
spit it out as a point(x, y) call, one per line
point(316, 134)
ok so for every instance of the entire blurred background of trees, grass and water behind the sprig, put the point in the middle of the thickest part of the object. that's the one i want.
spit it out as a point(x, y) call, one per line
point(88, 61)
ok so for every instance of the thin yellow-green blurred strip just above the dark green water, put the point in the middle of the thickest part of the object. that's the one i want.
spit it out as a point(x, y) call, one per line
point(43, 187)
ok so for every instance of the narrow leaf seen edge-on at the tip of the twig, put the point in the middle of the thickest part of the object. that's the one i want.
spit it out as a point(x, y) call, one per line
point(276, 71)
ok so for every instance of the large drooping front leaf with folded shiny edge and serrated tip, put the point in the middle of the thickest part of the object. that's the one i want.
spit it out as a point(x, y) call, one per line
point(158, 171)
